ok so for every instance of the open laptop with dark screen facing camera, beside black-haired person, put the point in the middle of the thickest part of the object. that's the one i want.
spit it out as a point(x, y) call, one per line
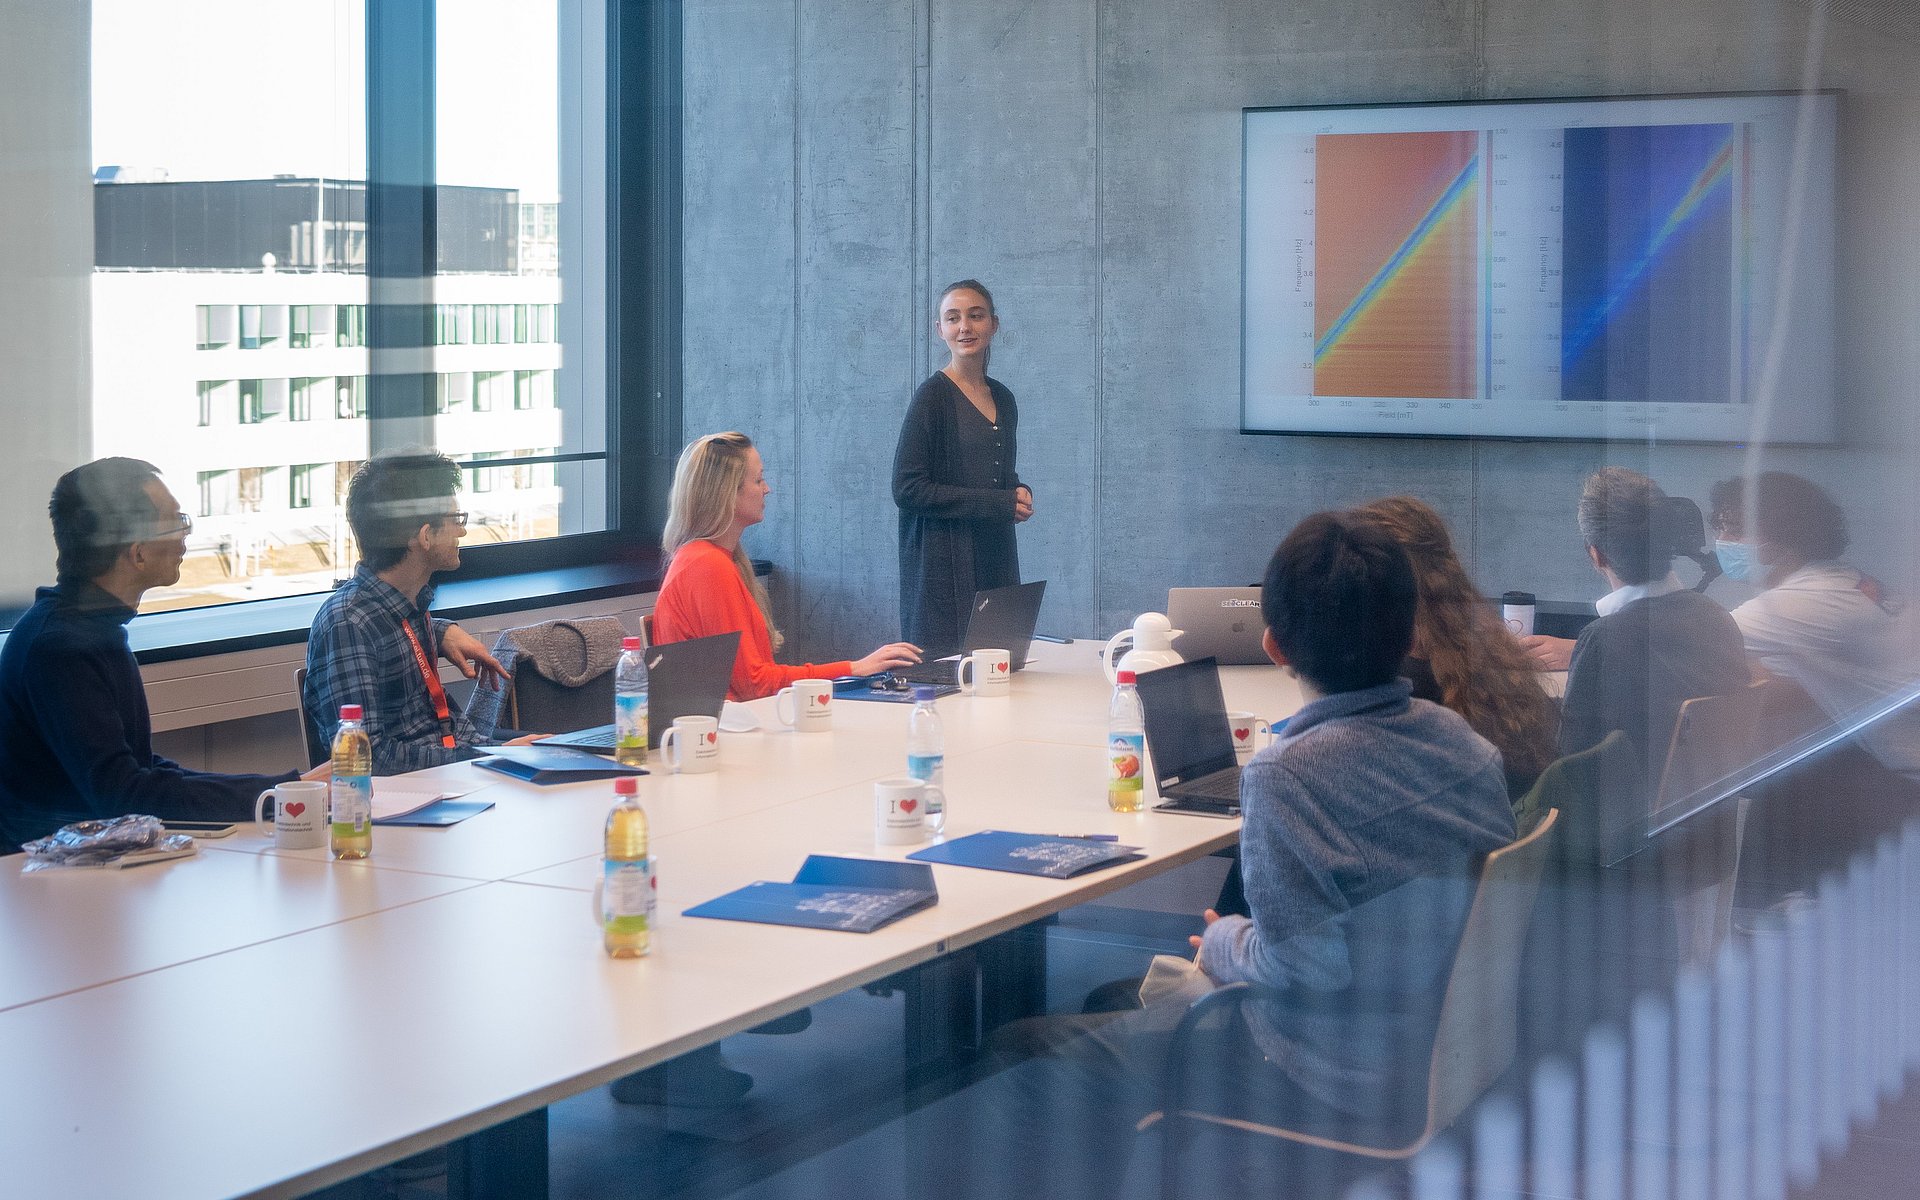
point(1189, 742)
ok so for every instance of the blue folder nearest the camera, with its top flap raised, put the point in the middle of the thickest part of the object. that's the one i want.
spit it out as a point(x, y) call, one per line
point(857, 896)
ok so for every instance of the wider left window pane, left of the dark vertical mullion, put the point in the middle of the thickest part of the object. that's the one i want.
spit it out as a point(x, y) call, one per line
point(229, 285)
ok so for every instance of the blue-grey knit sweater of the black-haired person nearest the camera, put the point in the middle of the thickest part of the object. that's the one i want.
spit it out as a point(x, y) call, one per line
point(1360, 827)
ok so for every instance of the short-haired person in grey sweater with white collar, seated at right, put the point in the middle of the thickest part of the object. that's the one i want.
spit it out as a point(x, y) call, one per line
point(1656, 644)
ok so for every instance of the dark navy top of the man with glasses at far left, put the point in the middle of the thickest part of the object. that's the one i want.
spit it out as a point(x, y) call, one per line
point(76, 738)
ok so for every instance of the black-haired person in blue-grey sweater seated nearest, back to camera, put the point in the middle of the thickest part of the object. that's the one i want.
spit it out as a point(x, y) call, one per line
point(1362, 825)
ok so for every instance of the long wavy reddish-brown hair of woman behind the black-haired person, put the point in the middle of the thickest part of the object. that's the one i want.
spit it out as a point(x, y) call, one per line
point(1462, 656)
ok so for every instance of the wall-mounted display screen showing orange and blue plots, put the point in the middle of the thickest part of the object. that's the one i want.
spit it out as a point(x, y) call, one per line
point(1637, 268)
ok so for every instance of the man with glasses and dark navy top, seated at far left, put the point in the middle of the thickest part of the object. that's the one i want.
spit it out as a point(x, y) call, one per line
point(76, 738)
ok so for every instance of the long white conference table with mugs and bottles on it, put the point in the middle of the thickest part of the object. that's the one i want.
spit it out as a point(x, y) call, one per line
point(270, 1022)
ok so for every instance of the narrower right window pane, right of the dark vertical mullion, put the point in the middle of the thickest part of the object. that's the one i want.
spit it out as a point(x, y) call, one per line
point(502, 387)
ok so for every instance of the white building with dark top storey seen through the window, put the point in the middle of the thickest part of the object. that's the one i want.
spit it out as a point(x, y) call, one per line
point(229, 325)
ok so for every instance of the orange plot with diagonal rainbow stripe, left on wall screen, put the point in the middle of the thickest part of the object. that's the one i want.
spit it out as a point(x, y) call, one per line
point(1397, 264)
